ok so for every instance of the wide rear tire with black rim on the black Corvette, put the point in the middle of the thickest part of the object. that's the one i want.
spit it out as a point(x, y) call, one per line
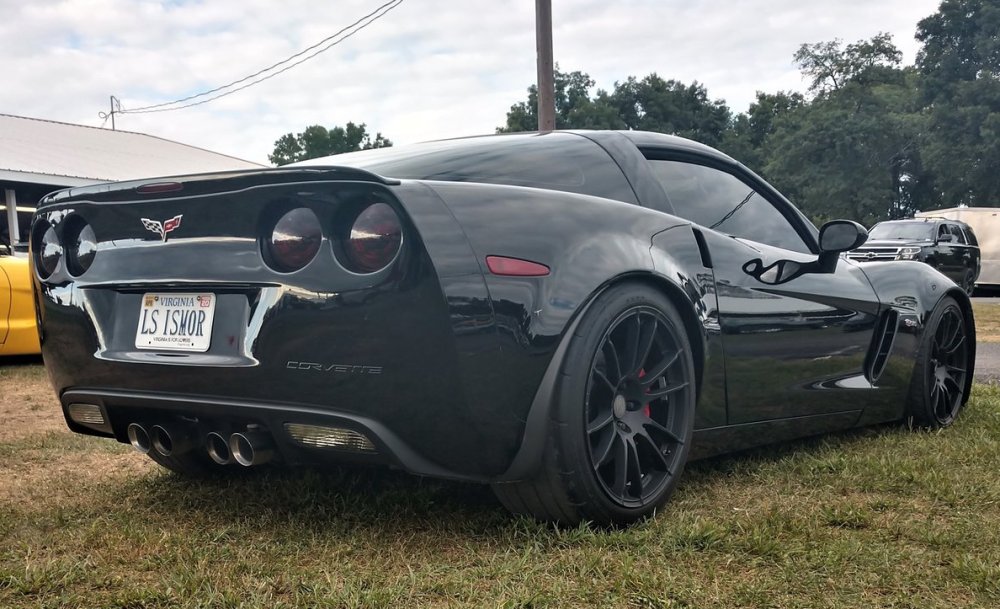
point(619, 430)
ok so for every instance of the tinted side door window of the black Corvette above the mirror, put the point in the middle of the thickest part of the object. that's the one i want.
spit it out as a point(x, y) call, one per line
point(723, 202)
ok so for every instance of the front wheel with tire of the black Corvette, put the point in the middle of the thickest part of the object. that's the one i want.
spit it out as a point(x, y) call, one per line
point(937, 388)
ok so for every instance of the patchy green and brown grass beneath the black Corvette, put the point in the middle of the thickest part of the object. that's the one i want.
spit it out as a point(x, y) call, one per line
point(883, 517)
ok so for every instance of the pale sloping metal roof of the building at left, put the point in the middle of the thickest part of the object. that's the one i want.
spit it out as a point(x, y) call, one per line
point(50, 152)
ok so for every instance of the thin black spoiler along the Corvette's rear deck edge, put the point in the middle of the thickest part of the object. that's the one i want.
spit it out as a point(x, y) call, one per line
point(210, 183)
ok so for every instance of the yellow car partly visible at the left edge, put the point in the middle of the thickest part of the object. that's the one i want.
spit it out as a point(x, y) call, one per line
point(18, 334)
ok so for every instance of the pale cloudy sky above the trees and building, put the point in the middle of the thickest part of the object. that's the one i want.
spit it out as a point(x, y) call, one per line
point(427, 69)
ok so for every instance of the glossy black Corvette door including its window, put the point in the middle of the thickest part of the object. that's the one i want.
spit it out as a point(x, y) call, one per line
point(793, 346)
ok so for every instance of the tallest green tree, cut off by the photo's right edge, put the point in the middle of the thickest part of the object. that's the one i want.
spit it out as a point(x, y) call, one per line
point(960, 68)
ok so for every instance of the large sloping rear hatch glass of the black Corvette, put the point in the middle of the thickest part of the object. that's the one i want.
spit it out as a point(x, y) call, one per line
point(554, 161)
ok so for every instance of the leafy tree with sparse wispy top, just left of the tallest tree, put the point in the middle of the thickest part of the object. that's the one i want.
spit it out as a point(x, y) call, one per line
point(852, 151)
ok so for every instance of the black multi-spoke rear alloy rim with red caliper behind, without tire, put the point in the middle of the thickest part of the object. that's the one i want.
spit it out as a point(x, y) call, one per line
point(633, 427)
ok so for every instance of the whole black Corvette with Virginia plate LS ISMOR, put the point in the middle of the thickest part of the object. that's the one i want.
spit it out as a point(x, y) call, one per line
point(569, 317)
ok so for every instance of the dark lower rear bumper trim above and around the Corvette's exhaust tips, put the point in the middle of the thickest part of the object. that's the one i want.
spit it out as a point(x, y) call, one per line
point(202, 415)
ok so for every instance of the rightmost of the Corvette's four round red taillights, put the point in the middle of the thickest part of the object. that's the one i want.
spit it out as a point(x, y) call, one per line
point(374, 239)
